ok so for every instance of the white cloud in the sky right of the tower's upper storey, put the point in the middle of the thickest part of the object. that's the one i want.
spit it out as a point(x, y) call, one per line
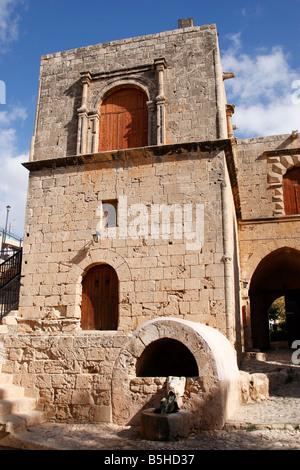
point(262, 90)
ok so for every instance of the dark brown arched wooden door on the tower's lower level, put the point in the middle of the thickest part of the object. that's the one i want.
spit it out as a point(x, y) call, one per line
point(99, 308)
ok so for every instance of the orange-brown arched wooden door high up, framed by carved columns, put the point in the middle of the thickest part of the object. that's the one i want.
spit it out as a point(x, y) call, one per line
point(124, 120)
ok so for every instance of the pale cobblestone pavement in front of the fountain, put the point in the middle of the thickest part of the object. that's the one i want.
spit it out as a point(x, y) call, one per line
point(270, 425)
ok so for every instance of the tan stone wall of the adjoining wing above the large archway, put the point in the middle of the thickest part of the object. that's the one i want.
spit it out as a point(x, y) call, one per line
point(264, 228)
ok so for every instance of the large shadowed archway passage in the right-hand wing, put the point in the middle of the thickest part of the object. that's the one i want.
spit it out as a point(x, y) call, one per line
point(278, 274)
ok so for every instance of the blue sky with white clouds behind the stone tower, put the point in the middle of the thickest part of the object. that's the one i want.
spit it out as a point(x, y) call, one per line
point(259, 41)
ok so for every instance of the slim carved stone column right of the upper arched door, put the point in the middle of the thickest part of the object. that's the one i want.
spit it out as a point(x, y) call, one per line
point(160, 65)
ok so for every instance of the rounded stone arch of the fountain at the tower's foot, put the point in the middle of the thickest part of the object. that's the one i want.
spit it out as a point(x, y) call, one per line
point(215, 391)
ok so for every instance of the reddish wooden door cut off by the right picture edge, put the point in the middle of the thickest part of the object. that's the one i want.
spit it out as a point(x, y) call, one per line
point(291, 191)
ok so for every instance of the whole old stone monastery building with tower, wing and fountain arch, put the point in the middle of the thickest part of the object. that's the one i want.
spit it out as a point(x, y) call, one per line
point(154, 239)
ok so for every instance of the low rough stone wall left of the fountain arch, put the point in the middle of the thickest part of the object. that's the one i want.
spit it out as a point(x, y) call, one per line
point(69, 375)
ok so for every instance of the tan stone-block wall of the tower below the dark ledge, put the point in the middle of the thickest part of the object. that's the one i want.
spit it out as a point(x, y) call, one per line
point(158, 276)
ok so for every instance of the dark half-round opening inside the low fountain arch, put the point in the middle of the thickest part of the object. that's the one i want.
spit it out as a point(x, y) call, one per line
point(166, 357)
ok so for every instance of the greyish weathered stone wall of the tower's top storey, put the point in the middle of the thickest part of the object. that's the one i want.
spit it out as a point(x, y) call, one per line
point(192, 85)
